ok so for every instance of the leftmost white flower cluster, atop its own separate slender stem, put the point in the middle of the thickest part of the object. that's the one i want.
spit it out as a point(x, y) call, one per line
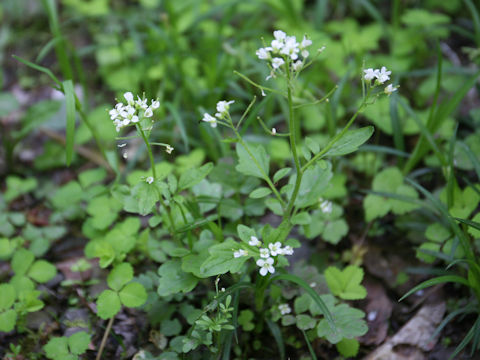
point(126, 114)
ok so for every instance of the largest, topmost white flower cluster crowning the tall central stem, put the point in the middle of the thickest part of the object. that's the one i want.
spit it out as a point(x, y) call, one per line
point(282, 48)
